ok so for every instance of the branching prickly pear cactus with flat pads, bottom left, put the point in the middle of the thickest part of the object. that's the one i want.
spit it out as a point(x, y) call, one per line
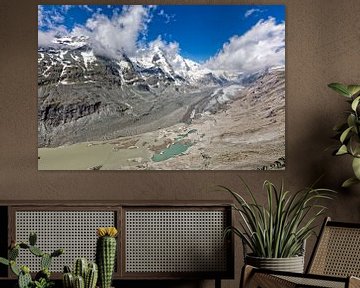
point(42, 278)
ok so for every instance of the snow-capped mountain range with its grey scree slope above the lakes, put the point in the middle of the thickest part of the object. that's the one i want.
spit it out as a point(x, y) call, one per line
point(83, 96)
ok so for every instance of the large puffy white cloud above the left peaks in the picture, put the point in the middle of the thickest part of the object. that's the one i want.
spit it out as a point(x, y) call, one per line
point(111, 37)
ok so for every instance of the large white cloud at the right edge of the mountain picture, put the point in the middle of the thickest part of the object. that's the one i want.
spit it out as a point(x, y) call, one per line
point(261, 47)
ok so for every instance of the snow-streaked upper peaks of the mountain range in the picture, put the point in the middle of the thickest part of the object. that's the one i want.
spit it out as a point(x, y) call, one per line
point(73, 55)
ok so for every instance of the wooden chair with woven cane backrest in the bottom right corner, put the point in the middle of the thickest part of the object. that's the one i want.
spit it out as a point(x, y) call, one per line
point(335, 262)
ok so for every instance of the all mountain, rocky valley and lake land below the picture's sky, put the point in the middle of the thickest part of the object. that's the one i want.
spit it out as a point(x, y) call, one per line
point(154, 111)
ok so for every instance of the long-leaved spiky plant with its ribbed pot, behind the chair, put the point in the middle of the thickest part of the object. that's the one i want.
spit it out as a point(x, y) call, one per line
point(276, 233)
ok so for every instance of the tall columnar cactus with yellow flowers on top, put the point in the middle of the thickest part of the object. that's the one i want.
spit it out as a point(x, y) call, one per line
point(106, 254)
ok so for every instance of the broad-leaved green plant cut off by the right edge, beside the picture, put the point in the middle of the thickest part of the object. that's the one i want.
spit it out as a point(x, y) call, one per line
point(349, 132)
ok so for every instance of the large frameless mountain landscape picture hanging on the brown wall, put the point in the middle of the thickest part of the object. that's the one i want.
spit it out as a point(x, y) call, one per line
point(161, 87)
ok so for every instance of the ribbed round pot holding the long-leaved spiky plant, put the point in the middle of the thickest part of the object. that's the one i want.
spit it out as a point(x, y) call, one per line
point(291, 264)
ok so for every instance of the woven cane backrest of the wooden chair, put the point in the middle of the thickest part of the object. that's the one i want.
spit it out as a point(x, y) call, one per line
point(337, 251)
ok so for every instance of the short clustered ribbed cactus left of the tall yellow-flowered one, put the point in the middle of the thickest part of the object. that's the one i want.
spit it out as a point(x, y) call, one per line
point(84, 275)
